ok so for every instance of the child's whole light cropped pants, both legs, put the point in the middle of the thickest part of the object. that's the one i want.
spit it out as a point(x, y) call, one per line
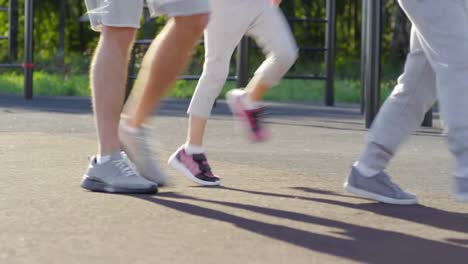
point(230, 20)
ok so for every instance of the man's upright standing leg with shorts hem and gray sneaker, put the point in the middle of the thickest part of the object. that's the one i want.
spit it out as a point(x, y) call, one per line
point(112, 171)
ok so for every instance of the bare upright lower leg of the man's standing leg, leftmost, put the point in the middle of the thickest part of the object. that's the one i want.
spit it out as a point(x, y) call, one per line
point(108, 78)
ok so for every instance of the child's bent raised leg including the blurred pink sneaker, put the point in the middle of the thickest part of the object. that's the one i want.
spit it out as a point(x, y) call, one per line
point(272, 33)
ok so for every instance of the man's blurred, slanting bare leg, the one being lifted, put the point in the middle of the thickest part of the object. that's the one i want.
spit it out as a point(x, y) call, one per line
point(165, 60)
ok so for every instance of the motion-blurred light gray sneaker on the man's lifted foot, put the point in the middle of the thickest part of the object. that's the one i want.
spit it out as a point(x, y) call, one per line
point(136, 145)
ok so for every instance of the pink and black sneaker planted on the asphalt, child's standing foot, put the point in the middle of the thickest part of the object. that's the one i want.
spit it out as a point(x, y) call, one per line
point(195, 167)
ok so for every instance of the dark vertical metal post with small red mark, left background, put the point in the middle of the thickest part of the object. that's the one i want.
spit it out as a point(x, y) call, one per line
point(28, 49)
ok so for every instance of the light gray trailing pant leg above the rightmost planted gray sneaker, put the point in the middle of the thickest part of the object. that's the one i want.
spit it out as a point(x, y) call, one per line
point(403, 111)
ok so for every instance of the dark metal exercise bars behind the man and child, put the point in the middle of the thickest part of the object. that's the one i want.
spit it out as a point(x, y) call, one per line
point(242, 67)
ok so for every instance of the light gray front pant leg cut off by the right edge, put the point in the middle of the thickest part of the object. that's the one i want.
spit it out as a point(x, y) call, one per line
point(442, 28)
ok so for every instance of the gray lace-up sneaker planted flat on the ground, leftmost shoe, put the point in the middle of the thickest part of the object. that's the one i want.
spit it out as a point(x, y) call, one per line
point(117, 175)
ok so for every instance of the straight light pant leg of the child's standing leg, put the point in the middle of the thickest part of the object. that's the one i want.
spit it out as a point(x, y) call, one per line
point(229, 21)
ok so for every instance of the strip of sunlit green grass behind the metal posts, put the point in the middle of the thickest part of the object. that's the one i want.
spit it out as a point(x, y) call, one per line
point(346, 91)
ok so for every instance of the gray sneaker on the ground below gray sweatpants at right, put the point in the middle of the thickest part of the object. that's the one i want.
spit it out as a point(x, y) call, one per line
point(379, 187)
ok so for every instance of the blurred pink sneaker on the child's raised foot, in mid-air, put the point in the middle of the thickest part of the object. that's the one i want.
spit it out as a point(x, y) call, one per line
point(251, 119)
